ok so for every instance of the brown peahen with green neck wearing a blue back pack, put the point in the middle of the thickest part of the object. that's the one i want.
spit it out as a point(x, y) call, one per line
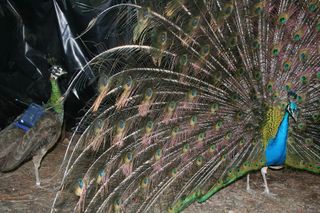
point(23, 140)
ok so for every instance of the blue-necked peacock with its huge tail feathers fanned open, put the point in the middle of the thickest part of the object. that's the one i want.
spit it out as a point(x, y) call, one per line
point(204, 93)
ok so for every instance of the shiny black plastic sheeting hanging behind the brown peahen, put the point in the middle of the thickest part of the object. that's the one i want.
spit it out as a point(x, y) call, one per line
point(36, 34)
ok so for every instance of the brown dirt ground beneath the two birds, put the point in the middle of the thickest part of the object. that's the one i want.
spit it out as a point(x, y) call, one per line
point(296, 191)
